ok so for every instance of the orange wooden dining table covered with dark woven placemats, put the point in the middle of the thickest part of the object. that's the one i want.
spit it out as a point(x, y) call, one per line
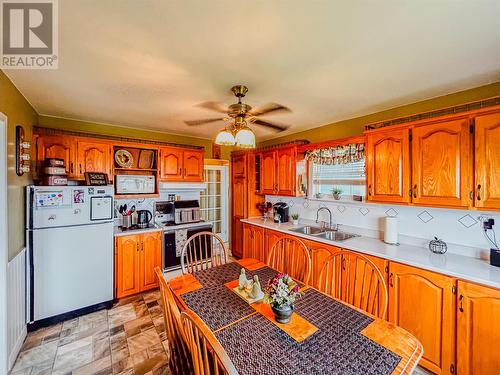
point(324, 336)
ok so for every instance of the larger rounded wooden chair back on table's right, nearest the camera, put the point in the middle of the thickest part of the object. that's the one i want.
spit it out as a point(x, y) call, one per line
point(356, 280)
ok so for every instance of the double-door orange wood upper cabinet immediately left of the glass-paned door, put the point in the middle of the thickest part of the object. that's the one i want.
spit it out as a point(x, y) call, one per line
point(177, 164)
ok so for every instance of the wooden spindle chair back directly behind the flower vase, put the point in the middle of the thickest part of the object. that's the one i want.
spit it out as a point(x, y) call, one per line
point(291, 255)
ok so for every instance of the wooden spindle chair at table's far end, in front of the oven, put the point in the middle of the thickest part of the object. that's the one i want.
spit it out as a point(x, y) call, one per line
point(202, 251)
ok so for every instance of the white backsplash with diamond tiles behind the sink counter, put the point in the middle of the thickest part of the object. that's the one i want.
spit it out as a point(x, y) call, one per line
point(461, 227)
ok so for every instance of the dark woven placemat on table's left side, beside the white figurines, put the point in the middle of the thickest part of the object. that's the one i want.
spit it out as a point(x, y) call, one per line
point(217, 306)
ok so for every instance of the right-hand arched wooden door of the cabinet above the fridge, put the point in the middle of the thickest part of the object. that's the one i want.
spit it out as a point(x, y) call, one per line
point(94, 157)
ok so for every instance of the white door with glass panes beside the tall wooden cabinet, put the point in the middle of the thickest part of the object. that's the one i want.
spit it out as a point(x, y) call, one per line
point(214, 199)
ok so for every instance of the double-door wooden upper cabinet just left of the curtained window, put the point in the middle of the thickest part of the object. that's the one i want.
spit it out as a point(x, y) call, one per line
point(277, 172)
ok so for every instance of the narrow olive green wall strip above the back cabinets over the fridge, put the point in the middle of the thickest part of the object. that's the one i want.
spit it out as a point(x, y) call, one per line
point(123, 131)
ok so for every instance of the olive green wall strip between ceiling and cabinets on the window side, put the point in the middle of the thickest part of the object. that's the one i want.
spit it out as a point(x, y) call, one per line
point(355, 126)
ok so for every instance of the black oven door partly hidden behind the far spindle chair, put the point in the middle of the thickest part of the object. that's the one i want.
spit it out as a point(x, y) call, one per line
point(171, 255)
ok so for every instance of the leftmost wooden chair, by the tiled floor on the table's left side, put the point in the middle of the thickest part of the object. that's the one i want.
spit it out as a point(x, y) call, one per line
point(180, 357)
